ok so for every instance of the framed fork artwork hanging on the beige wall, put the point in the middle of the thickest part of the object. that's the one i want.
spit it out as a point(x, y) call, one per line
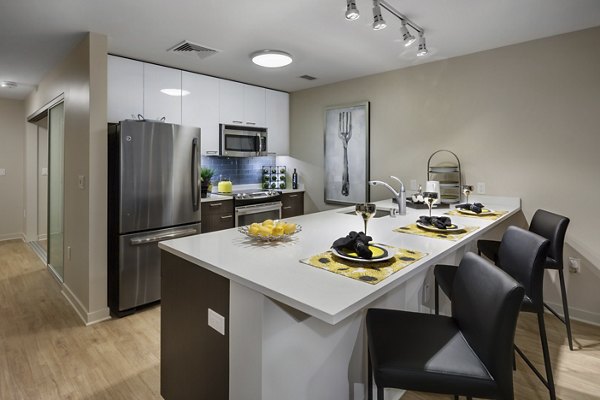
point(347, 154)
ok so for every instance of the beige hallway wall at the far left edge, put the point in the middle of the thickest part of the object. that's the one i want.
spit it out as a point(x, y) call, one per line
point(12, 148)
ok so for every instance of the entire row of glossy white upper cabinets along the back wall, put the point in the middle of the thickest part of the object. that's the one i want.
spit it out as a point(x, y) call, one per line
point(190, 99)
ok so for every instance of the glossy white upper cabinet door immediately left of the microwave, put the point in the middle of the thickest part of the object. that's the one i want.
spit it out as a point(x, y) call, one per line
point(200, 108)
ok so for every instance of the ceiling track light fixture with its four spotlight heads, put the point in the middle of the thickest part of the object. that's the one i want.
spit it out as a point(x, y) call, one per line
point(379, 23)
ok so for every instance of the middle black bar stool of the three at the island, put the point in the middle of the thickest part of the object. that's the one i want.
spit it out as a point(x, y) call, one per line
point(522, 255)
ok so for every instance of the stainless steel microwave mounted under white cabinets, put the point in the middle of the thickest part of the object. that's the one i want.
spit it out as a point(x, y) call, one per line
point(242, 141)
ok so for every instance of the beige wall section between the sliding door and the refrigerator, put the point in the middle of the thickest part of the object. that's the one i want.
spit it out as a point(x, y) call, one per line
point(81, 78)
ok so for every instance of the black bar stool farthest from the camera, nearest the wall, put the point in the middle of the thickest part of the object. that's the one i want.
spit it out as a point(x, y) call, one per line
point(553, 227)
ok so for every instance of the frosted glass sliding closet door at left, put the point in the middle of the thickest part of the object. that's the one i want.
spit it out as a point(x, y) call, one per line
point(56, 137)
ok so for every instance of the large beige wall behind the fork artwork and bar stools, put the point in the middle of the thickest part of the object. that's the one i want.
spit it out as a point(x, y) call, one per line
point(524, 119)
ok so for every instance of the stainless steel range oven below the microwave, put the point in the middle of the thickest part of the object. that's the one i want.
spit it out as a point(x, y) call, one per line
point(256, 207)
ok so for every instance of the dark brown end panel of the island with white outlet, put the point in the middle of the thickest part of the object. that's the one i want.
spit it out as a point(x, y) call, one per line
point(194, 356)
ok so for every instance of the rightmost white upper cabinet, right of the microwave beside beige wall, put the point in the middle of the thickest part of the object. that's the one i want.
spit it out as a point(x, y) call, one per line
point(278, 122)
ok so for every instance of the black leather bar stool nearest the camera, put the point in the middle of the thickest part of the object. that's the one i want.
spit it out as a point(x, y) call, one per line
point(468, 354)
